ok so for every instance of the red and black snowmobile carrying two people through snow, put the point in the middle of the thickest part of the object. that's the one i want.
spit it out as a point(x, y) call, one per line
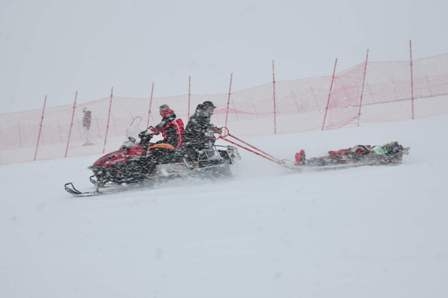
point(136, 162)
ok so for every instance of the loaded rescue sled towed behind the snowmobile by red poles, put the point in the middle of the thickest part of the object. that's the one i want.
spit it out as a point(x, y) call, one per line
point(359, 155)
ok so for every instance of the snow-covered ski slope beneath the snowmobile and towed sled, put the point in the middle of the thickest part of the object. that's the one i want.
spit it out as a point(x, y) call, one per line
point(265, 232)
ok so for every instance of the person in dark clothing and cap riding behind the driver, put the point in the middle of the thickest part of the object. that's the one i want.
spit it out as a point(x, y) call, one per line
point(199, 133)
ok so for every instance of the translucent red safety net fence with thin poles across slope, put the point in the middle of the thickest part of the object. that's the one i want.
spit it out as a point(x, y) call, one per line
point(365, 93)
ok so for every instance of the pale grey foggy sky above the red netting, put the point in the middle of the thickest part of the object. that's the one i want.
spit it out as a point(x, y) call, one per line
point(57, 47)
